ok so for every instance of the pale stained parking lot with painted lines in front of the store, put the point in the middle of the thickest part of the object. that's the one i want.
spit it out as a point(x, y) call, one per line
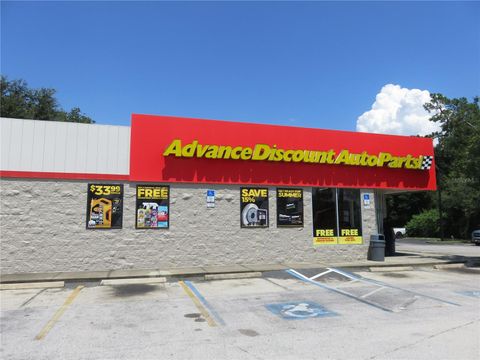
point(298, 314)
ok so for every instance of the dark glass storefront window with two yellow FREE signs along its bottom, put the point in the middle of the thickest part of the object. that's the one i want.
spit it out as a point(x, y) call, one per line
point(336, 216)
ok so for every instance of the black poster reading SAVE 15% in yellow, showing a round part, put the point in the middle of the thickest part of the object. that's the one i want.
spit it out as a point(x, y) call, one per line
point(253, 207)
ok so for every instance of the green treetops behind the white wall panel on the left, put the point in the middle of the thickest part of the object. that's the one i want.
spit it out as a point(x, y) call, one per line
point(21, 102)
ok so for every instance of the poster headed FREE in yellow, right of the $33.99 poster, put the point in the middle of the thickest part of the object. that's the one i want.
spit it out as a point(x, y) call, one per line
point(152, 207)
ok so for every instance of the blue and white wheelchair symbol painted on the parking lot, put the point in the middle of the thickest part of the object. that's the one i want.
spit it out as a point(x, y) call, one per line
point(299, 310)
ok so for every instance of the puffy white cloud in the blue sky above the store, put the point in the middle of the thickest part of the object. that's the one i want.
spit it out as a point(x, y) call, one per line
point(398, 111)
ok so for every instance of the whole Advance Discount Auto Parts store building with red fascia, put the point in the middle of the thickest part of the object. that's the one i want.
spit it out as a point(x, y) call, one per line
point(175, 192)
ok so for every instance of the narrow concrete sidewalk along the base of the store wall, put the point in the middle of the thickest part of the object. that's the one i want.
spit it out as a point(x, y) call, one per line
point(404, 259)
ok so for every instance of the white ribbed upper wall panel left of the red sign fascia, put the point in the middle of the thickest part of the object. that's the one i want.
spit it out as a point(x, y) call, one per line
point(49, 146)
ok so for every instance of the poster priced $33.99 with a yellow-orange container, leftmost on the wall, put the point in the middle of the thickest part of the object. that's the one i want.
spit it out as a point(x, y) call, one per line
point(104, 206)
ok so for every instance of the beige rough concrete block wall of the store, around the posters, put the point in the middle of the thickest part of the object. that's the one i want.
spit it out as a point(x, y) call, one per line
point(43, 229)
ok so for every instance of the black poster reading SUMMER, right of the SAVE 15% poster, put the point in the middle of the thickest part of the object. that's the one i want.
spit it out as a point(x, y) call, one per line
point(290, 207)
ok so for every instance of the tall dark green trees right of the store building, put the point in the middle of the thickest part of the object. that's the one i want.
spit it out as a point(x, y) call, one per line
point(457, 160)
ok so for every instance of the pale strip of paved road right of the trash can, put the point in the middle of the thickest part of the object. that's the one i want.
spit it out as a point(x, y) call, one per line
point(422, 246)
